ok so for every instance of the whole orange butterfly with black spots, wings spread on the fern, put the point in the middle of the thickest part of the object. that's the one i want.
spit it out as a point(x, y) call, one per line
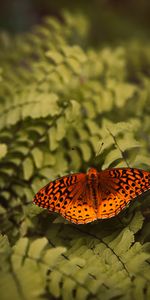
point(84, 197)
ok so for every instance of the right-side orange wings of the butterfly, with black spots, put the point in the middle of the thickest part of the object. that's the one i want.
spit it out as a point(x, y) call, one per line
point(117, 187)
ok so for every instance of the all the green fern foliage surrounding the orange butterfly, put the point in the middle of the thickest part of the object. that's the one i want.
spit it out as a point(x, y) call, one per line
point(57, 93)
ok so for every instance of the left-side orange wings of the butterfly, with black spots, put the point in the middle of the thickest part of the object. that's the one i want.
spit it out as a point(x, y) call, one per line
point(67, 196)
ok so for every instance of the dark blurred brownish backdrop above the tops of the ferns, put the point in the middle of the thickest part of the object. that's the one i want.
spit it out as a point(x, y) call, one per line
point(110, 20)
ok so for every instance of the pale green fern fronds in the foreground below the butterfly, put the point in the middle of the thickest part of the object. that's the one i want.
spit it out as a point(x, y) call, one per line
point(85, 265)
